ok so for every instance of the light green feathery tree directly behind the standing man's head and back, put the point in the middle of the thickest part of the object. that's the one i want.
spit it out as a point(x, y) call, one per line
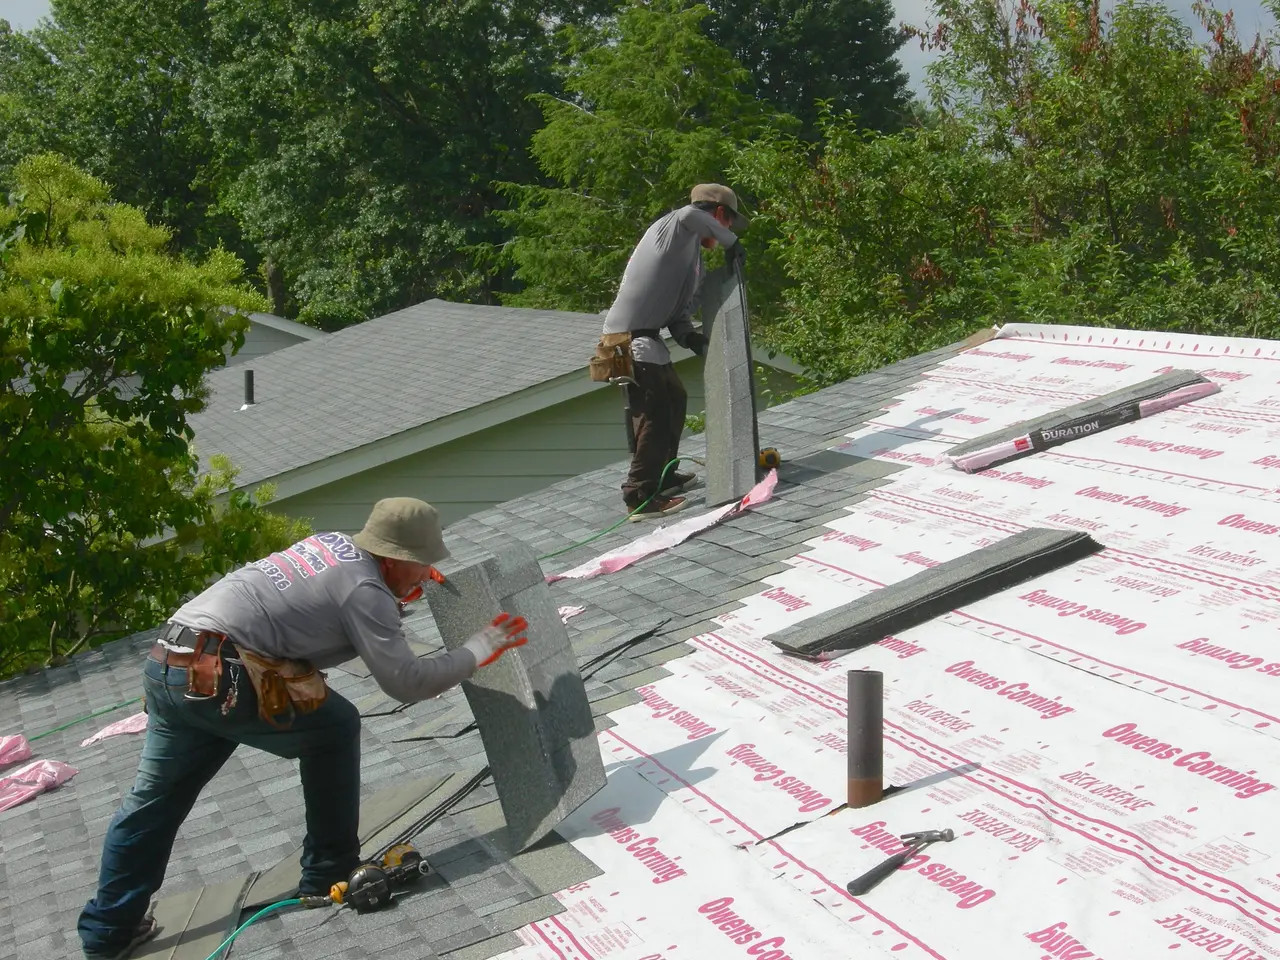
point(652, 107)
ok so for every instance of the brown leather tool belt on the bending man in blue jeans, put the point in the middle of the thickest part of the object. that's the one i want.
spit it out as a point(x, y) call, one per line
point(284, 688)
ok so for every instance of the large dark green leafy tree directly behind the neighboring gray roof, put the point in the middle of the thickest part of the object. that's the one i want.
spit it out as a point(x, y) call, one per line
point(365, 138)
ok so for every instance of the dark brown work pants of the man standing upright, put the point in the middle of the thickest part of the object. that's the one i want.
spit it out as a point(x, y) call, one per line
point(659, 403)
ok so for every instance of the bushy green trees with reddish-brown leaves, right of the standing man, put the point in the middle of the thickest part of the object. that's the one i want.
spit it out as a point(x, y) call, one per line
point(1073, 171)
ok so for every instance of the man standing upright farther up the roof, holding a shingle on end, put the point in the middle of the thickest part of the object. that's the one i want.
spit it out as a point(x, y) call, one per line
point(660, 290)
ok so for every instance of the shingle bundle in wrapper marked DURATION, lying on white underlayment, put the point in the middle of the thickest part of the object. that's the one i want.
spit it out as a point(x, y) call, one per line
point(1144, 400)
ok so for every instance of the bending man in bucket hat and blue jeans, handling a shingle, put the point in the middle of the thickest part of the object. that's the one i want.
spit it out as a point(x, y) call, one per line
point(240, 665)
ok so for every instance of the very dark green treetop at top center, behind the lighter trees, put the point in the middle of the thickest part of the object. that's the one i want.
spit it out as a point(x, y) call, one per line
point(843, 53)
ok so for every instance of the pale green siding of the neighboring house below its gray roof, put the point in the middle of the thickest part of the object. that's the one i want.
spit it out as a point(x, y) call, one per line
point(491, 467)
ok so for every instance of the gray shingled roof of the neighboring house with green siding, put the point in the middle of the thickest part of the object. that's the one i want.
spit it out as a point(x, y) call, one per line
point(383, 378)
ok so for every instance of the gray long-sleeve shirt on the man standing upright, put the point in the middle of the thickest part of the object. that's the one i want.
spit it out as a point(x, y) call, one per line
point(661, 285)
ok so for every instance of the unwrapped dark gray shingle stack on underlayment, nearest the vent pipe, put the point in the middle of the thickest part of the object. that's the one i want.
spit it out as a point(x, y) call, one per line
point(936, 591)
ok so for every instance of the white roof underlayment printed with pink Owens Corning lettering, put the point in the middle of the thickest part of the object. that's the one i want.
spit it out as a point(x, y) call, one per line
point(1103, 740)
